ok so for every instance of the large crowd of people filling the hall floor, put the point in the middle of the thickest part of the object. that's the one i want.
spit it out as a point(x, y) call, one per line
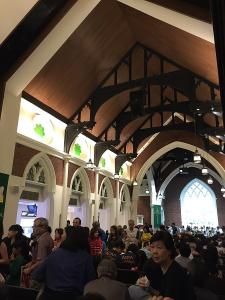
point(170, 263)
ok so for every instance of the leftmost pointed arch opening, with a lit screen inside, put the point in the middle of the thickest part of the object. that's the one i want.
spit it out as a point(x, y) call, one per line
point(37, 195)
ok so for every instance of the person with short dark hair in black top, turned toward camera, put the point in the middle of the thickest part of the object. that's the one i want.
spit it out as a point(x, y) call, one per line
point(172, 281)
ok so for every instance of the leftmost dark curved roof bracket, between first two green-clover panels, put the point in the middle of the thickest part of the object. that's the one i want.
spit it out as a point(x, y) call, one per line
point(73, 130)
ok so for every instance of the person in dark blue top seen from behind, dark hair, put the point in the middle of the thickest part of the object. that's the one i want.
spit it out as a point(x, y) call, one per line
point(66, 271)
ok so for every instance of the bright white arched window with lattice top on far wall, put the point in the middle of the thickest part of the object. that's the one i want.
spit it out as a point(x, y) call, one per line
point(198, 205)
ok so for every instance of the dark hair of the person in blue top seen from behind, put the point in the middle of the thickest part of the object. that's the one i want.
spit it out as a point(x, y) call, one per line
point(76, 238)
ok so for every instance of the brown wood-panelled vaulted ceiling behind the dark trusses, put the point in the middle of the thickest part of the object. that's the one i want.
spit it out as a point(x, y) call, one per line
point(79, 66)
